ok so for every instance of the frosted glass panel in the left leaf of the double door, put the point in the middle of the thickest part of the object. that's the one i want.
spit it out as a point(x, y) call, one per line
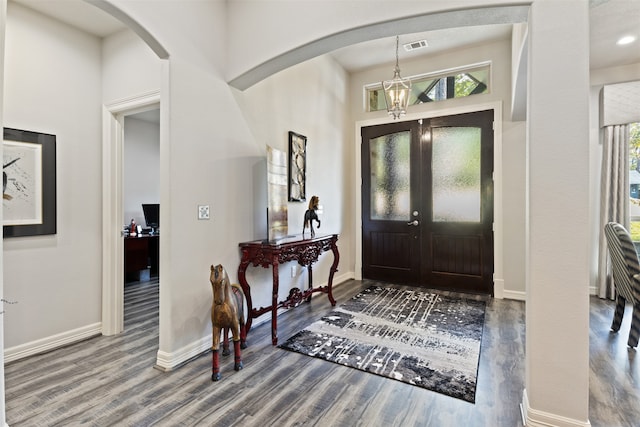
point(389, 157)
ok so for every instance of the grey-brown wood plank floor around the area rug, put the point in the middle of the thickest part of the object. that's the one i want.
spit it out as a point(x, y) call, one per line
point(108, 381)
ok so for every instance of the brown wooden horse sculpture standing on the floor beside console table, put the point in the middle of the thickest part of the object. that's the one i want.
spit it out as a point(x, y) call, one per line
point(226, 314)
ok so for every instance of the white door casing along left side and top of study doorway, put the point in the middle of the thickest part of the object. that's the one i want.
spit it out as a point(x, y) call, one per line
point(112, 195)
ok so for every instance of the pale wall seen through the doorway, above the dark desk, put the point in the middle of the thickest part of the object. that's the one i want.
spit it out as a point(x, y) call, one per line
point(141, 167)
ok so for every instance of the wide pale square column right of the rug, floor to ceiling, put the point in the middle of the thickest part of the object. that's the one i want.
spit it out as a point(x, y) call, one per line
point(557, 272)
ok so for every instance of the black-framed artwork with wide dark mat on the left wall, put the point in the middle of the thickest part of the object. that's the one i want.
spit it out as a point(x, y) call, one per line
point(29, 183)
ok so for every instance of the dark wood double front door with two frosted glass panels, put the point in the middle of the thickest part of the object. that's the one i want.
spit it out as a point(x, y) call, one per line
point(427, 202)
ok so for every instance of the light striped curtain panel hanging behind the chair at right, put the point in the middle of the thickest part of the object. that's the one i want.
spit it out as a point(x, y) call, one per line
point(614, 202)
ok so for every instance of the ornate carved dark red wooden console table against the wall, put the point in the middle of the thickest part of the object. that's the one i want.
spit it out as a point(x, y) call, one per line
point(304, 250)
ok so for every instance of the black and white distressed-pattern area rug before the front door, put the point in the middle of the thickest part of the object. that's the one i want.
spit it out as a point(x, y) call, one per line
point(418, 337)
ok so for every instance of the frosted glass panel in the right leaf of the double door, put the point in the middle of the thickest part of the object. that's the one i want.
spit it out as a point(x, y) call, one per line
point(456, 174)
